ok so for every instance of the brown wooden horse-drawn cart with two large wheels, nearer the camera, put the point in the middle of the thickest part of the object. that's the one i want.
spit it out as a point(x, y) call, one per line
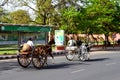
point(37, 55)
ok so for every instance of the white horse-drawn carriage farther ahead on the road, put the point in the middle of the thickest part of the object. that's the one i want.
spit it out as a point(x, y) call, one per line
point(82, 52)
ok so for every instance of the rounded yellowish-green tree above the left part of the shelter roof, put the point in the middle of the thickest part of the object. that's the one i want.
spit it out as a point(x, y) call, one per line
point(20, 17)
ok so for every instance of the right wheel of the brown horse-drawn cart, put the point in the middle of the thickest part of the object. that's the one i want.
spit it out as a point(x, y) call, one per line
point(38, 61)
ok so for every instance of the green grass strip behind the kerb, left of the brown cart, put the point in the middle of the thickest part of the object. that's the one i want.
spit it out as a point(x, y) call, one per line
point(8, 49)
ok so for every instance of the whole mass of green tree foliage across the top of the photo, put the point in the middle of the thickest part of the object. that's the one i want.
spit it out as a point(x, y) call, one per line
point(85, 16)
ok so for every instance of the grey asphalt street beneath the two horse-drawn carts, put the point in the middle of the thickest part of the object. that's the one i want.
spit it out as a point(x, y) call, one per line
point(104, 65)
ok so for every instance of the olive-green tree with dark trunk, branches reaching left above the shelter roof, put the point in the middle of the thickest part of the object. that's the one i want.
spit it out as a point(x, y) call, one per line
point(43, 9)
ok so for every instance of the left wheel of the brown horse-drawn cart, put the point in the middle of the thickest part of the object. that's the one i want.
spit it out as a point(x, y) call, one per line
point(24, 60)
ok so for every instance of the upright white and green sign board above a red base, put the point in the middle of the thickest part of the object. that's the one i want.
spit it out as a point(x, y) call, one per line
point(59, 37)
